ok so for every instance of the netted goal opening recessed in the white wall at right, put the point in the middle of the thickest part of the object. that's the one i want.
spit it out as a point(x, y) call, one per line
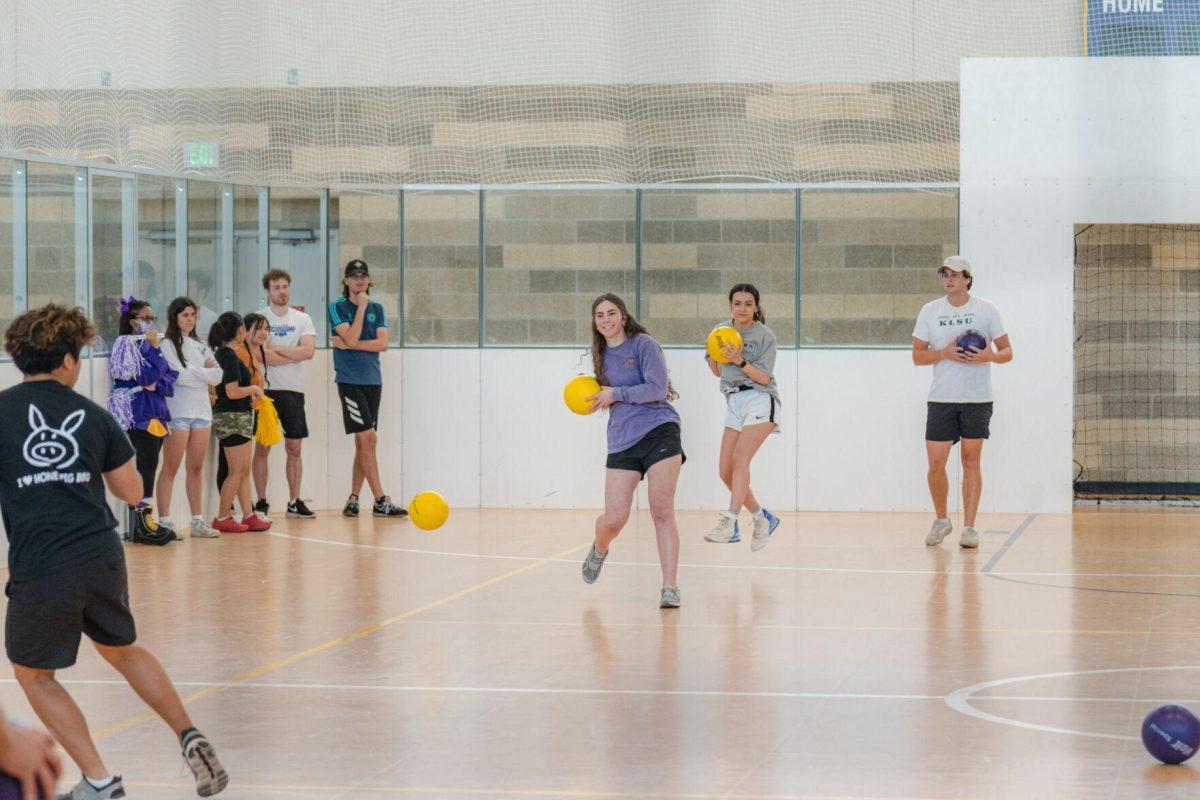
point(1137, 362)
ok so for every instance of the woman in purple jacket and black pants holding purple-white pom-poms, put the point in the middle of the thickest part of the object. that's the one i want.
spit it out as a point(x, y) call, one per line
point(142, 383)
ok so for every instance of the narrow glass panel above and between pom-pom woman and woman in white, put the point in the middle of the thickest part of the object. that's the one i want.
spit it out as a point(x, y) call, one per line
point(157, 244)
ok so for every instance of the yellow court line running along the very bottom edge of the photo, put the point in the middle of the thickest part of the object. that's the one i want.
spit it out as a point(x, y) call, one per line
point(519, 793)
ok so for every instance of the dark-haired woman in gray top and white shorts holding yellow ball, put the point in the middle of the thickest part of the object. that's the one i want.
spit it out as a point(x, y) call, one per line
point(752, 398)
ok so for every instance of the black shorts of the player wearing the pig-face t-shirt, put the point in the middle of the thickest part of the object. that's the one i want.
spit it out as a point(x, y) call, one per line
point(47, 616)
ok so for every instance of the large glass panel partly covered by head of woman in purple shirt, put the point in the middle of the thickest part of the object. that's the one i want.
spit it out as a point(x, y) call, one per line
point(548, 256)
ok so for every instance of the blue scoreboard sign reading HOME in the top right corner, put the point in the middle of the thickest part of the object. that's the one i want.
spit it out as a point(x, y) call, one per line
point(1143, 27)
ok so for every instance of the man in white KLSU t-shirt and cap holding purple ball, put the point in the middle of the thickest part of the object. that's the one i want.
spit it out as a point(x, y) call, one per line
point(961, 398)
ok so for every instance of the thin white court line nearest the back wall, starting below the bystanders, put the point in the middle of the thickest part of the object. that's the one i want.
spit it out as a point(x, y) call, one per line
point(754, 568)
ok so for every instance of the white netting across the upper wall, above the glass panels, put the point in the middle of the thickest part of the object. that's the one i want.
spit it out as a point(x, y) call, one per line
point(517, 92)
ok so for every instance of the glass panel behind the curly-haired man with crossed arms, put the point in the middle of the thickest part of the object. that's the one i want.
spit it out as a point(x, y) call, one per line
point(297, 248)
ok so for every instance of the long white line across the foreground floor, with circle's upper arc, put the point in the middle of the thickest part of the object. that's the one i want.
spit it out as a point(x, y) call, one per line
point(652, 693)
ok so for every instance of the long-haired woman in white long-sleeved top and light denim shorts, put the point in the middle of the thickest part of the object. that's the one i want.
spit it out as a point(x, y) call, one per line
point(191, 414)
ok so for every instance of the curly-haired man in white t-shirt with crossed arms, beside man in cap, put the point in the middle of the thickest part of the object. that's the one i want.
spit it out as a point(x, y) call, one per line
point(293, 340)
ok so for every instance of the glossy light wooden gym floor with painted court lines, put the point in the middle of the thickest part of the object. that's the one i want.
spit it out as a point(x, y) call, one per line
point(365, 659)
